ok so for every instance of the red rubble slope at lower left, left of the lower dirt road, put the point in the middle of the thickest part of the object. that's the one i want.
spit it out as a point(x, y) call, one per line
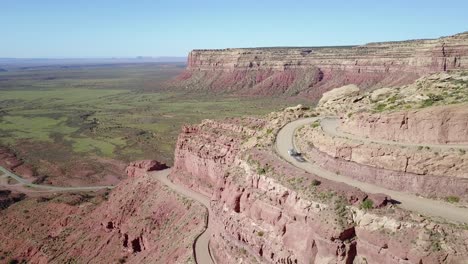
point(140, 221)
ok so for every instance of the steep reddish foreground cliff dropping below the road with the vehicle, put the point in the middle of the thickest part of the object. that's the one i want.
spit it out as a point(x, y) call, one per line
point(265, 210)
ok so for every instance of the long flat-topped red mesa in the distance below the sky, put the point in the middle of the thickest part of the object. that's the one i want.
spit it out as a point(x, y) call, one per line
point(312, 71)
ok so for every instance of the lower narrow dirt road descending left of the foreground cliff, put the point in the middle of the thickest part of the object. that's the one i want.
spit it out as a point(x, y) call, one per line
point(202, 252)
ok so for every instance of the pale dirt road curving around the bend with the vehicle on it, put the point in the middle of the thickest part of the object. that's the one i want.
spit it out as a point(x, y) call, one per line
point(433, 208)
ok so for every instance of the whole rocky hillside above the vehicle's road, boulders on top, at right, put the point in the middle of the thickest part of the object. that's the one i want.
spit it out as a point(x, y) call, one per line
point(421, 116)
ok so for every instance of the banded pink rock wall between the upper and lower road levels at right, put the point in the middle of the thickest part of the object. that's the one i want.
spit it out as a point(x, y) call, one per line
point(411, 169)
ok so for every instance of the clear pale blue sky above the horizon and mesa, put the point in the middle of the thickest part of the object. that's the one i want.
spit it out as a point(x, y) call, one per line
point(128, 28)
